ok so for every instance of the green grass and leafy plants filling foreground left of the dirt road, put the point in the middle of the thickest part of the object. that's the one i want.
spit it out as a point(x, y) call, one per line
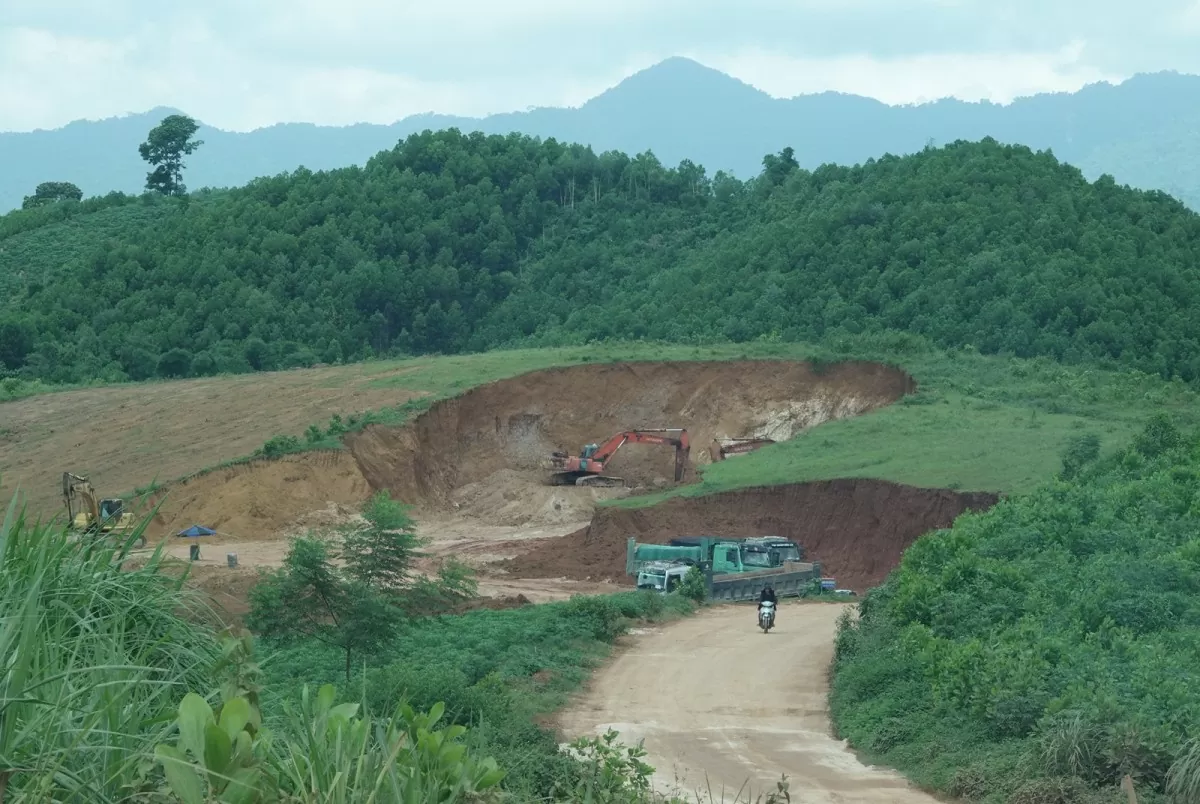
point(116, 689)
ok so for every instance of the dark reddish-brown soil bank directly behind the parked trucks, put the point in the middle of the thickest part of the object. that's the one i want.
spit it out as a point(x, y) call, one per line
point(857, 530)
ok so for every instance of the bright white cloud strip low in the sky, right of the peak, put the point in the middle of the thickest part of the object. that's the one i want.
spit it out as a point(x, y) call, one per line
point(999, 77)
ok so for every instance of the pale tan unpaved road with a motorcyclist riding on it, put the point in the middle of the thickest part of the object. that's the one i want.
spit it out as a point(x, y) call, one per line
point(713, 695)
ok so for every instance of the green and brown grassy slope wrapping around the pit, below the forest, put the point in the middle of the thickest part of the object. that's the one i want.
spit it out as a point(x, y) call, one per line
point(976, 424)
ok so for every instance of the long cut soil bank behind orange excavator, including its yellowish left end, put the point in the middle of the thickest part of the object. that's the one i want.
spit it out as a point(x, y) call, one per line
point(482, 455)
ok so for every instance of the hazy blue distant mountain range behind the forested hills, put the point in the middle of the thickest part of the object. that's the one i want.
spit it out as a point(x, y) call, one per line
point(1144, 131)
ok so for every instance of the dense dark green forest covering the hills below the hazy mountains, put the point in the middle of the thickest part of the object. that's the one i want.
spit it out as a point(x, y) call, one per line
point(454, 243)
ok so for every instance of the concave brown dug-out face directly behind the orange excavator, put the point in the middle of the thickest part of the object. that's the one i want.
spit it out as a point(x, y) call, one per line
point(499, 436)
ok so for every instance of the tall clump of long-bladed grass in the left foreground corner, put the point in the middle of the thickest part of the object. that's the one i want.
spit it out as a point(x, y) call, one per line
point(93, 656)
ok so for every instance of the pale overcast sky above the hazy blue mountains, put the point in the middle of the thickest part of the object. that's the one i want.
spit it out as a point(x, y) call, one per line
point(243, 64)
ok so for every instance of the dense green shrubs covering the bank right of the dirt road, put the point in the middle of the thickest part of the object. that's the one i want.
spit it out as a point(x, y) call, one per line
point(1047, 647)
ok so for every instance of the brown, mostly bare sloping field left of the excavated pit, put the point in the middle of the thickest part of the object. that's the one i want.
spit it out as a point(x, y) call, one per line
point(124, 437)
